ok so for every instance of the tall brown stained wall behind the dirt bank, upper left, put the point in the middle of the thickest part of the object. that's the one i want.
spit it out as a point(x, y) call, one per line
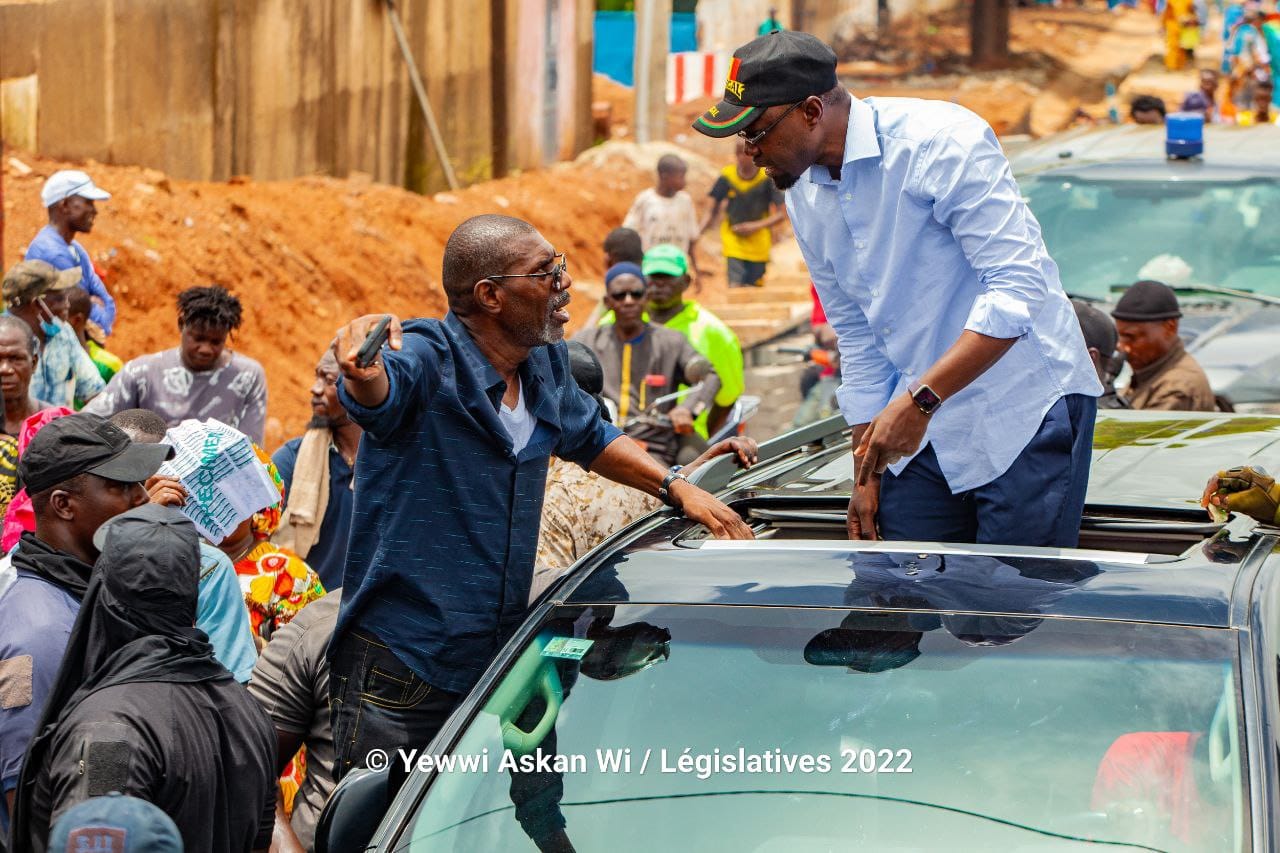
point(277, 89)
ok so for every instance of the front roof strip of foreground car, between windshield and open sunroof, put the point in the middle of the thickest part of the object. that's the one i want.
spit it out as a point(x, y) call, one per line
point(1021, 582)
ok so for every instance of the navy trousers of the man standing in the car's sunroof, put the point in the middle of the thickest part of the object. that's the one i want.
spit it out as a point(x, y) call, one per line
point(1039, 501)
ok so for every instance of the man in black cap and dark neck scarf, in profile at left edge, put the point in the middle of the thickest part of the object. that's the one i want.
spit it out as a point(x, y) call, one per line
point(80, 472)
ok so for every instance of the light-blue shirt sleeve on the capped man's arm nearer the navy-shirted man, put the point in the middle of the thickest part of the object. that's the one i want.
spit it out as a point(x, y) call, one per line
point(867, 377)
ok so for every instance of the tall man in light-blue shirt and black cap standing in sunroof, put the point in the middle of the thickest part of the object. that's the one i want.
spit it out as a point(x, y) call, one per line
point(964, 372)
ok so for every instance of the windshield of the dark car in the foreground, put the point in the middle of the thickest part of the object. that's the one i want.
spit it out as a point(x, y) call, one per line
point(804, 729)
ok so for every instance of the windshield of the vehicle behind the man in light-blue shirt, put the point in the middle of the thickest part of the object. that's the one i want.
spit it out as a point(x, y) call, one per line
point(1107, 234)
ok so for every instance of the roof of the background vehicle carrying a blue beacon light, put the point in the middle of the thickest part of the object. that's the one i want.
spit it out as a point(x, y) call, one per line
point(1137, 153)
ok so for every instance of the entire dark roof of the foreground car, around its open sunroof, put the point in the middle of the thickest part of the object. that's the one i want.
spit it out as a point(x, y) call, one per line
point(1144, 463)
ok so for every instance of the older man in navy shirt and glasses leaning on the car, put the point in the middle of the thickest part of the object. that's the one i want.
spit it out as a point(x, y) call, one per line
point(461, 417)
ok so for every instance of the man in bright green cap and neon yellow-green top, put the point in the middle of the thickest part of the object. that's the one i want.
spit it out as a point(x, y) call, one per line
point(666, 270)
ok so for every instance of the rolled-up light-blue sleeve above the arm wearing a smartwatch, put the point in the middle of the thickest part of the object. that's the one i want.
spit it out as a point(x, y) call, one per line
point(967, 179)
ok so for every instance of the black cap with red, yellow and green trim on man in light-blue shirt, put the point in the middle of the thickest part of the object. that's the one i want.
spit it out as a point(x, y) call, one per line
point(779, 69)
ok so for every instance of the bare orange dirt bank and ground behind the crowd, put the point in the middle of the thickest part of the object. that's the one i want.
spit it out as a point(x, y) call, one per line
point(307, 256)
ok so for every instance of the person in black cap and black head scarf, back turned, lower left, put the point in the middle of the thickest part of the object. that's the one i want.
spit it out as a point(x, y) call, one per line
point(143, 706)
